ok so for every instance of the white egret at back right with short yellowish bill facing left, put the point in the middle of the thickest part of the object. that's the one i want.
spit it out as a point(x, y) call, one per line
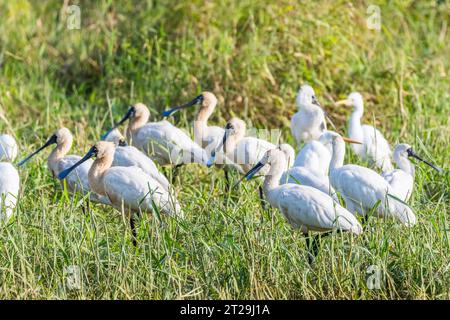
point(374, 148)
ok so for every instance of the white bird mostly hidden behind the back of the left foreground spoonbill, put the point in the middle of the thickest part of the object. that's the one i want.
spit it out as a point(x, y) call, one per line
point(129, 156)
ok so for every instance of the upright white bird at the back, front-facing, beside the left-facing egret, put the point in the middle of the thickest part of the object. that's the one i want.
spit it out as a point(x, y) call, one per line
point(309, 122)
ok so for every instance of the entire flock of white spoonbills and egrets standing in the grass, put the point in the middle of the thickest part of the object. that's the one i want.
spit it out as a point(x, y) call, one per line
point(304, 187)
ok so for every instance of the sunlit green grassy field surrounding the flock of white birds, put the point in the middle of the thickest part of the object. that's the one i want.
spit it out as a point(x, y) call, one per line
point(253, 55)
